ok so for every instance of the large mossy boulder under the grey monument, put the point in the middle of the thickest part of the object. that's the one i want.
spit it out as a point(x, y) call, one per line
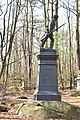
point(44, 110)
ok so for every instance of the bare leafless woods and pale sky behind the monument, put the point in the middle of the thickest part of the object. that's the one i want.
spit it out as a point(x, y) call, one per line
point(22, 24)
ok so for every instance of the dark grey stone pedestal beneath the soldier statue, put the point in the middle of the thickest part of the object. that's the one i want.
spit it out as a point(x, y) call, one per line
point(47, 84)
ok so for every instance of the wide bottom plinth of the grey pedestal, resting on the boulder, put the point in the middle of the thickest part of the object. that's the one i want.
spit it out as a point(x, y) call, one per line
point(47, 96)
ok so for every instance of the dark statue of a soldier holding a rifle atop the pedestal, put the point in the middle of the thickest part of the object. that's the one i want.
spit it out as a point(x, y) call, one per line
point(49, 32)
